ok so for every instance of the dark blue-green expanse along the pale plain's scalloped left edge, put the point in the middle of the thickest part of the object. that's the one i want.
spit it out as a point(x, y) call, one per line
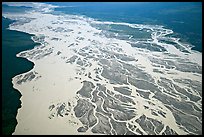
point(13, 42)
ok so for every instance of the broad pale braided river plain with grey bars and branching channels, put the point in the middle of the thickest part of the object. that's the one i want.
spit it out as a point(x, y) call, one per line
point(89, 80)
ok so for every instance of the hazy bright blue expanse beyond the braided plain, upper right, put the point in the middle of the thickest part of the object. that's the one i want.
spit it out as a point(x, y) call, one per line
point(184, 18)
